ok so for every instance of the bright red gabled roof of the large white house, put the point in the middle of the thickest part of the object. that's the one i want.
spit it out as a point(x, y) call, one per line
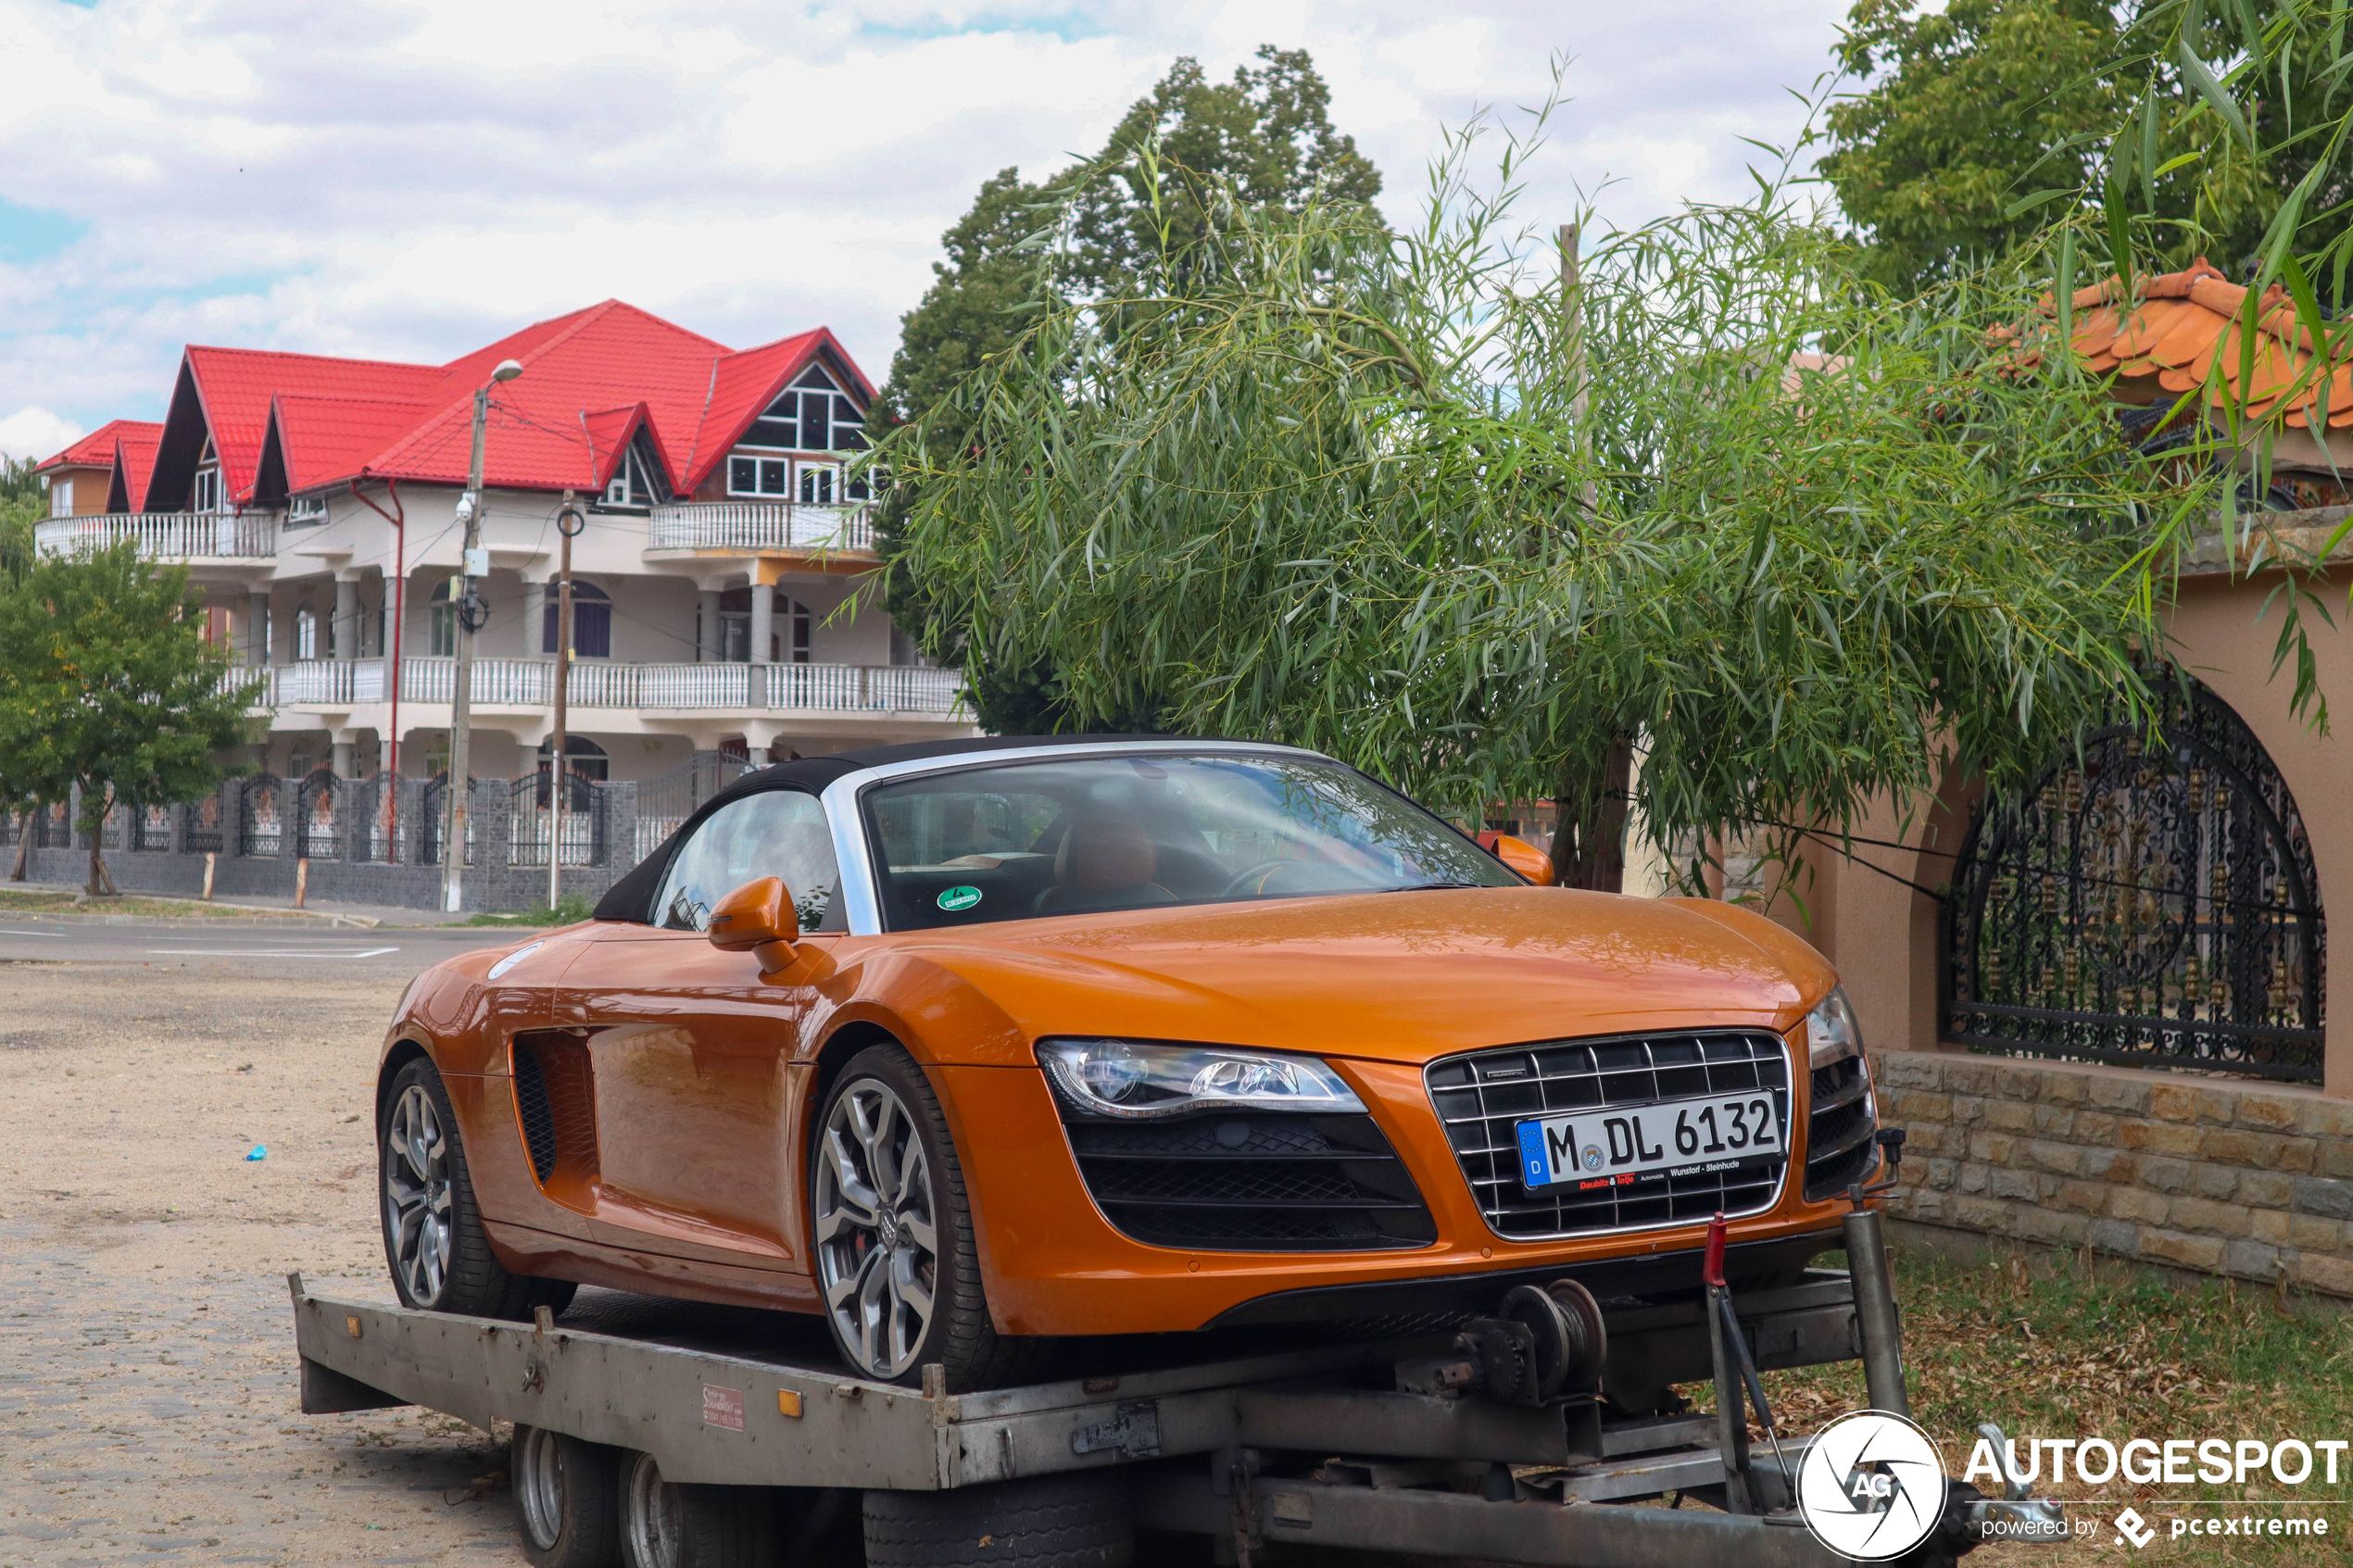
point(589, 382)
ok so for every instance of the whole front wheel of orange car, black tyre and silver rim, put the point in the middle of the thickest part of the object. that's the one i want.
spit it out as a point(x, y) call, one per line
point(879, 1264)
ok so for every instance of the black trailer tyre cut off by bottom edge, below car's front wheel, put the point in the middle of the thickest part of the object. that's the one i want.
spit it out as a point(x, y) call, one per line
point(1048, 1522)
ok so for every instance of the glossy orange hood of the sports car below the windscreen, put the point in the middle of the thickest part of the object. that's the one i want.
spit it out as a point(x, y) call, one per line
point(1387, 977)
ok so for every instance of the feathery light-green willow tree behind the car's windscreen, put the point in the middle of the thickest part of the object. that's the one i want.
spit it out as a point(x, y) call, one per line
point(1415, 502)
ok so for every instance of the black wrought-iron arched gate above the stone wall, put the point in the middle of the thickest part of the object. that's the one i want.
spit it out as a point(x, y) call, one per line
point(2149, 904)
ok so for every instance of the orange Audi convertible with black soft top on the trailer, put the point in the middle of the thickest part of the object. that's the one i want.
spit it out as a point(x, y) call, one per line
point(971, 1047)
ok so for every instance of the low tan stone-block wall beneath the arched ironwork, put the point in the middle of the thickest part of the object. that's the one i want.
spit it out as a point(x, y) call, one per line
point(2189, 1172)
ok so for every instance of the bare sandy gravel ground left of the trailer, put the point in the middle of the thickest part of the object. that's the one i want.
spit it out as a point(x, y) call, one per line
point(147, 1362)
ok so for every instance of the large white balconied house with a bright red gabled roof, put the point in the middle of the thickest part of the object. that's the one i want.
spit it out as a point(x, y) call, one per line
point(721, 577)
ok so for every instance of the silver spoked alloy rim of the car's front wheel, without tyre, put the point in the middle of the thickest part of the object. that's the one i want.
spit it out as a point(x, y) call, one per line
point(876, 1231)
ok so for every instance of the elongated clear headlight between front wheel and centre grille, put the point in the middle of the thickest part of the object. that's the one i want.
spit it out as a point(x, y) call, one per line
point(1121, 1078)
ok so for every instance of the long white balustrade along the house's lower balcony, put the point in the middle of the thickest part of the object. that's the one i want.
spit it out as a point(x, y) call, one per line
point(531, 683)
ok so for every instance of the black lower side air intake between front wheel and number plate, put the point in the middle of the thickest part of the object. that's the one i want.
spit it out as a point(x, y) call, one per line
point(1251, 1181)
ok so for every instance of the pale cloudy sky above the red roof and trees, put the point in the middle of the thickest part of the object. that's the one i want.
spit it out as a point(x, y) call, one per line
point(413, 180)
